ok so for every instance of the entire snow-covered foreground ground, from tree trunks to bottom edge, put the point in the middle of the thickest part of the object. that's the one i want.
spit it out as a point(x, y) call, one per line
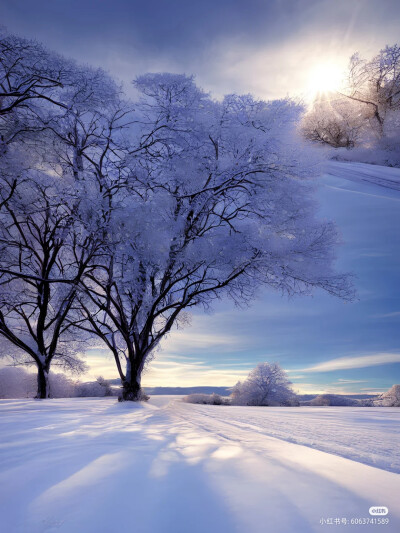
point(96, 466)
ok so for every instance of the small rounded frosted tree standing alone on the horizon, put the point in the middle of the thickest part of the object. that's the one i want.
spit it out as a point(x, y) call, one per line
point(267, 384)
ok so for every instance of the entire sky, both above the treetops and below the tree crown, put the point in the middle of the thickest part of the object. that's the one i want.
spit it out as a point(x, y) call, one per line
point(269, 48)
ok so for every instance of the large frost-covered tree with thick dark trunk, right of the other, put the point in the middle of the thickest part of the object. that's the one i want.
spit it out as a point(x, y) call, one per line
point(217, 203)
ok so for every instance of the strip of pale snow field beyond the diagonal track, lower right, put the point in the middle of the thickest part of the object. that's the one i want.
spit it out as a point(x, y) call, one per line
point(368, 435)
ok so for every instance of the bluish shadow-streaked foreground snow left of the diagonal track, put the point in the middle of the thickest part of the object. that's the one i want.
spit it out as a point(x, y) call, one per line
point(137, 469)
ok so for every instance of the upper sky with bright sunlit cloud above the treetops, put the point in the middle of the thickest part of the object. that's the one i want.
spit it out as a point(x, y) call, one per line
point(265, 47)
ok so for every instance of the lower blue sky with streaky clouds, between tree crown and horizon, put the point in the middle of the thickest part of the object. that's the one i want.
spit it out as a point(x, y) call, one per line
point(325, 344)
